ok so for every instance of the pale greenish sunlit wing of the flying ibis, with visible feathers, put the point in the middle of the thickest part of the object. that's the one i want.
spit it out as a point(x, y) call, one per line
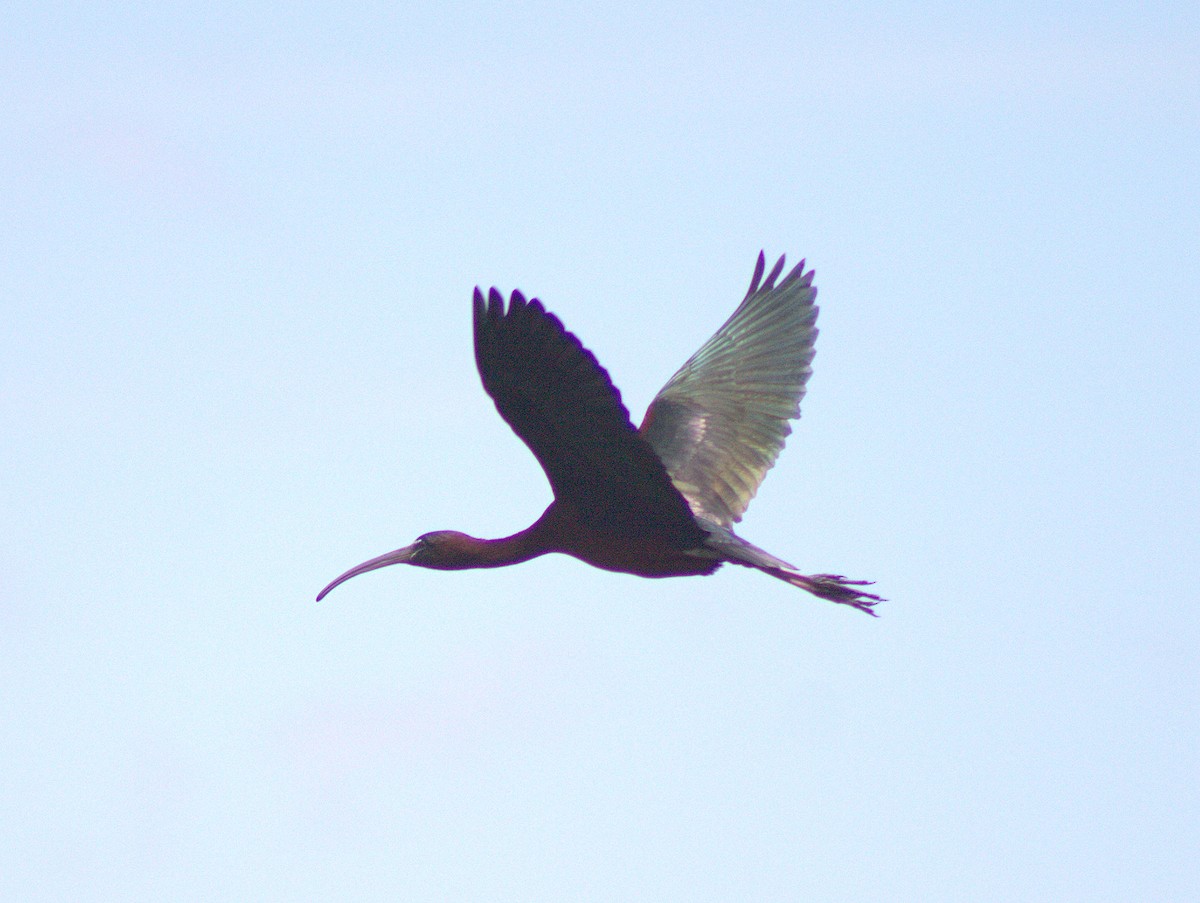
point(721, 423)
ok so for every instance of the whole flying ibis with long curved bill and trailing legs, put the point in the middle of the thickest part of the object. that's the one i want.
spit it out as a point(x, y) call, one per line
point(659, 500)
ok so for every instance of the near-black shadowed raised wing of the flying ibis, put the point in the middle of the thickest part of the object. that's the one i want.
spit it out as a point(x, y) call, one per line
point(555, 396)
